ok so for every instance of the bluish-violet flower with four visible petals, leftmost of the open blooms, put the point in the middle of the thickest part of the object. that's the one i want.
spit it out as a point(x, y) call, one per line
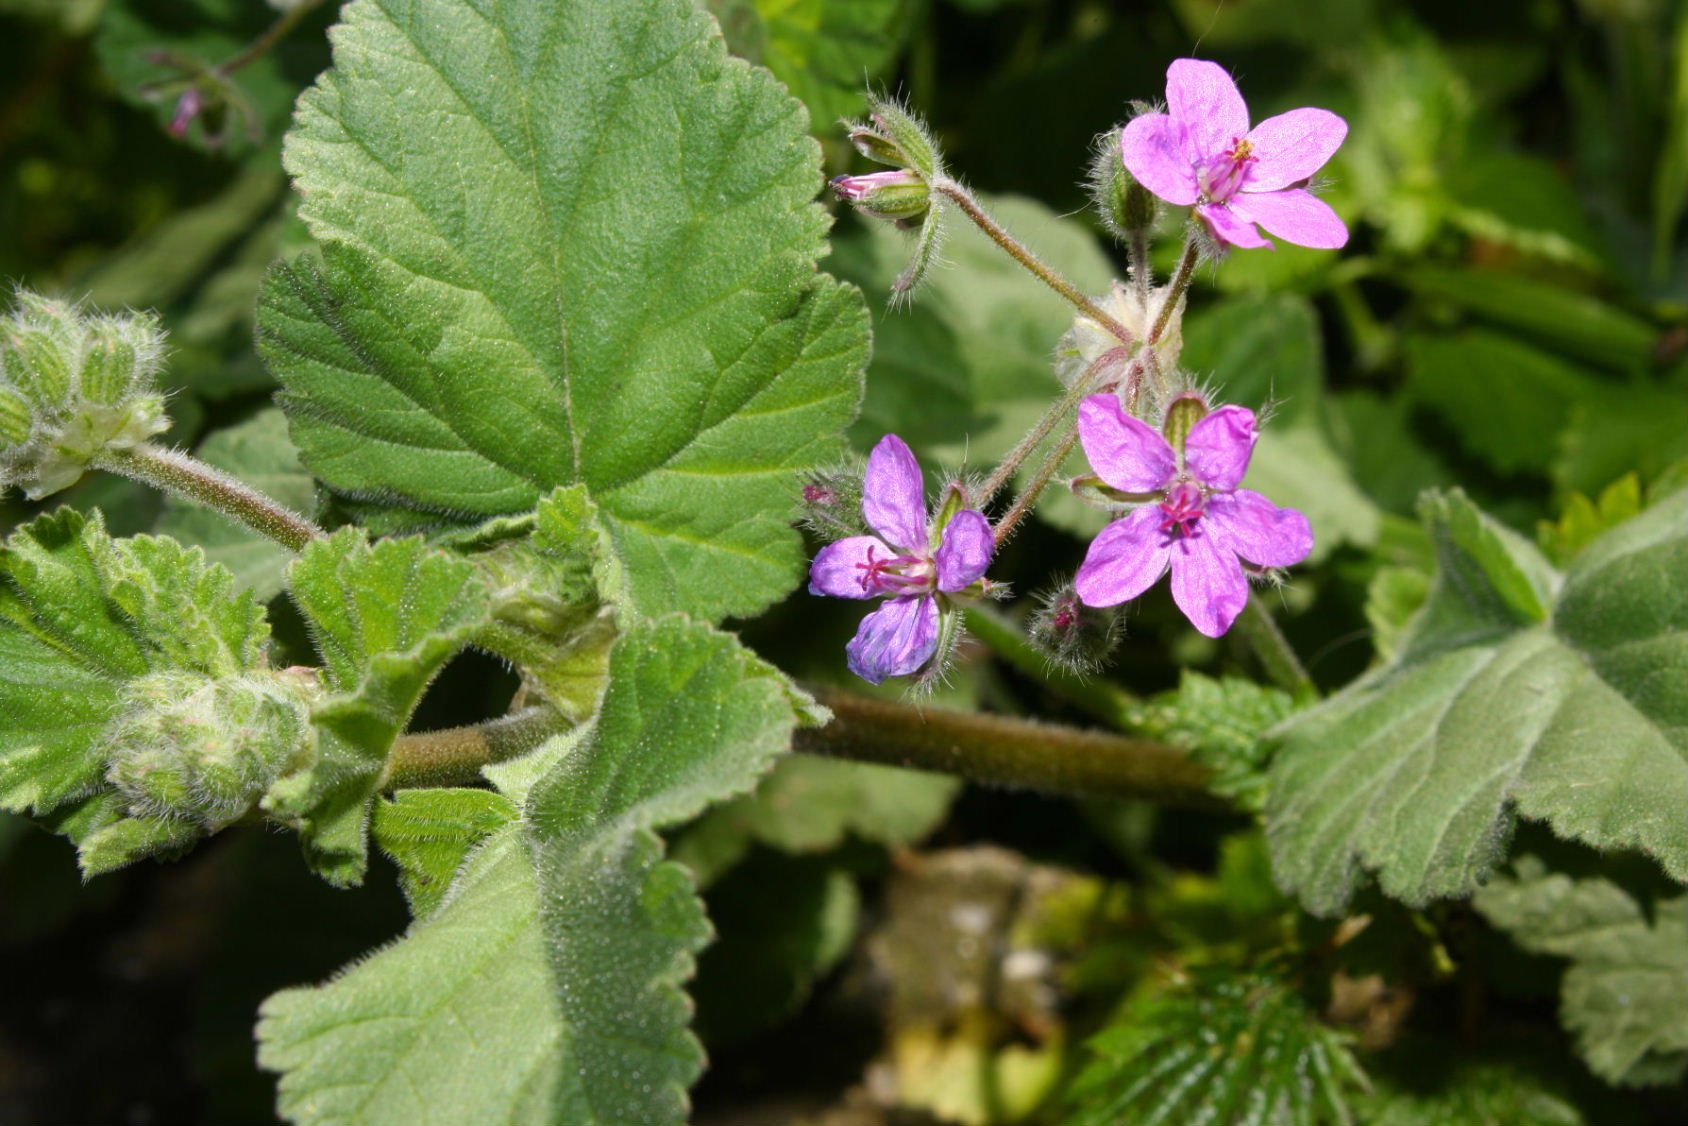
point(914, 561)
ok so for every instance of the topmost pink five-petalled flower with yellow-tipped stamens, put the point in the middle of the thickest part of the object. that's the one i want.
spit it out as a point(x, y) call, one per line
point(1204, 154)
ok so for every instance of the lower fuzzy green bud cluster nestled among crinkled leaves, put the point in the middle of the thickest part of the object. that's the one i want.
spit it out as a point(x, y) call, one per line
point(200, 749)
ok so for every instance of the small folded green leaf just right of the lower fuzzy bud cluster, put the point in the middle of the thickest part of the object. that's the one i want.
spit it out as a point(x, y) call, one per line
point(386, 619)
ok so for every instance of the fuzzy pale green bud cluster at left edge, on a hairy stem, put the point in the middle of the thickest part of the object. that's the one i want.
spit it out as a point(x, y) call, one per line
point(72, 386)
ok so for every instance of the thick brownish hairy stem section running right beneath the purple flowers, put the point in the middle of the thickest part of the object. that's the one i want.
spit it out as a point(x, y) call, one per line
point(1004, 752)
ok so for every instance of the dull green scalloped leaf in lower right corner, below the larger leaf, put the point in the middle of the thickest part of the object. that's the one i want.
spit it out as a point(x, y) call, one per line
point(1626, 992)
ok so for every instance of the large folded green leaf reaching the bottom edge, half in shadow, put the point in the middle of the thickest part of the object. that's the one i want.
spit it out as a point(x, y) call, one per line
point(548, 985)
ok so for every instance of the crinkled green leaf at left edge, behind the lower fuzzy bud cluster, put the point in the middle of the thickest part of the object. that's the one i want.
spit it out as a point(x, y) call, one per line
point(82, 615)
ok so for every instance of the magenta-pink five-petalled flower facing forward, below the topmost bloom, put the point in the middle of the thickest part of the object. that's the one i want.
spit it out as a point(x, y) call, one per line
point(1198, 522)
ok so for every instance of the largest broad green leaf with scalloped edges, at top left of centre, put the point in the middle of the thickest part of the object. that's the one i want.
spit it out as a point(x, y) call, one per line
point(566, 242)
